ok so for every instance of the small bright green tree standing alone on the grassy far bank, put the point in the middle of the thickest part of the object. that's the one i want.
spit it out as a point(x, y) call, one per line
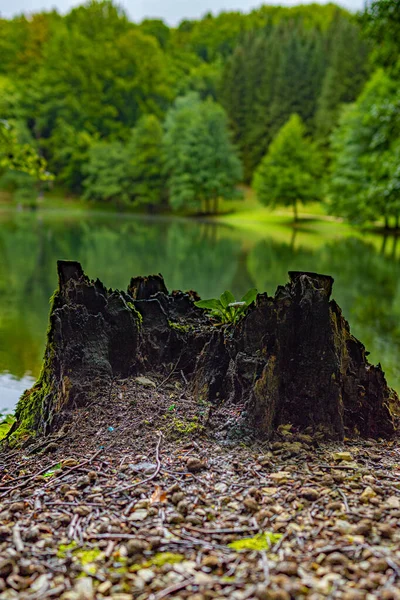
point(290, 171)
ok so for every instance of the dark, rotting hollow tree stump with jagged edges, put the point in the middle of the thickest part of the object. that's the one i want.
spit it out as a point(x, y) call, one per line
point(291, 359)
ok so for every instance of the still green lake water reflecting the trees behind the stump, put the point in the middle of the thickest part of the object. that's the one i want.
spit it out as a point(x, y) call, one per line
point(205, 257)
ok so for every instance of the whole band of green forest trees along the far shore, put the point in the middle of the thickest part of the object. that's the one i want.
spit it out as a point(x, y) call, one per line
point(302, 104)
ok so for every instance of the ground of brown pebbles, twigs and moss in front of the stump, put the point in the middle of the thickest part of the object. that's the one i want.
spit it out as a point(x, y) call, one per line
point(147, 494)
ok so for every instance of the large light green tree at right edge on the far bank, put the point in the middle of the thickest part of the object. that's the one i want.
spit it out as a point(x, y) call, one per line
point(365, 173)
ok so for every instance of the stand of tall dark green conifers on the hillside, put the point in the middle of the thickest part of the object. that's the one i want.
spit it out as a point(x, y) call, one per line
point(292, 65)
